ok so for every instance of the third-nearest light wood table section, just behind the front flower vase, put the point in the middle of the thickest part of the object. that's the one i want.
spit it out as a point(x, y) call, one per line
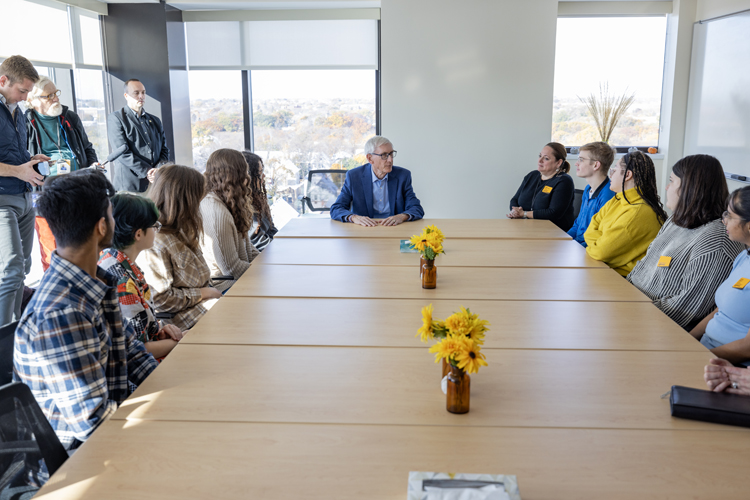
point(393, 323)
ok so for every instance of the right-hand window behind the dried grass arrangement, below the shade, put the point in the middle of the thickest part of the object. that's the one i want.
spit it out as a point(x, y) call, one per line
point(624, 53)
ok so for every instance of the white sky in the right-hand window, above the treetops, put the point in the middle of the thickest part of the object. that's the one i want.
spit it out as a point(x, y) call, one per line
point(626, 52)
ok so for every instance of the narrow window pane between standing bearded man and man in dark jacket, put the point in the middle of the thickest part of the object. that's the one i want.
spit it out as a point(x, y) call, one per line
point(90, 103)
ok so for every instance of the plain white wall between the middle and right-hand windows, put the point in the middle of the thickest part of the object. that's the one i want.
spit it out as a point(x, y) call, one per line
point(467, 97)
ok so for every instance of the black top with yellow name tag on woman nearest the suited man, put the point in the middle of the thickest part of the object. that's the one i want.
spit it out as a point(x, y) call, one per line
point(556, 204)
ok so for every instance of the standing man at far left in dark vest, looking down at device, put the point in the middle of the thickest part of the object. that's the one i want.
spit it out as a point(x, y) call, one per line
point(17, 176)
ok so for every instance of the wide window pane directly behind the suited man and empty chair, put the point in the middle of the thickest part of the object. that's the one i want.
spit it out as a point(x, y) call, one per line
point(310, 119)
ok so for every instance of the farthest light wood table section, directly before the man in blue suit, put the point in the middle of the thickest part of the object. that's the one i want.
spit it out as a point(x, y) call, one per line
point(452, 228)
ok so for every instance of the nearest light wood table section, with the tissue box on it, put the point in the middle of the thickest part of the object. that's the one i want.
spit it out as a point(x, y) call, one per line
point(125, 460)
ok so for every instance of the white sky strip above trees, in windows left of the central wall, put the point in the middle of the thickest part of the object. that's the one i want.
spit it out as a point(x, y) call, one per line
point(290, 84)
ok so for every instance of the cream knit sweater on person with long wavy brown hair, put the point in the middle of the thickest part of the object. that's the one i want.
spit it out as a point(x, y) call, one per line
point(227, 252)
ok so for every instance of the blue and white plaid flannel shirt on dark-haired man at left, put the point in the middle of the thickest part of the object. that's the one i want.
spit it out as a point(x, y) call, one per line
point(72, 350)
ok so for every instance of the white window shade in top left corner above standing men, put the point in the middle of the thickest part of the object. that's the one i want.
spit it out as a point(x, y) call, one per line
point(49, 44)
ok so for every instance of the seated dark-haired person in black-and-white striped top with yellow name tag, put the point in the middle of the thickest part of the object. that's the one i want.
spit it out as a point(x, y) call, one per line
point(692, 254)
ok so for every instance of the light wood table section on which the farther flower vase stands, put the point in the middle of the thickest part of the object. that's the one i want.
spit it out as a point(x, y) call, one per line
point(490, 283)
